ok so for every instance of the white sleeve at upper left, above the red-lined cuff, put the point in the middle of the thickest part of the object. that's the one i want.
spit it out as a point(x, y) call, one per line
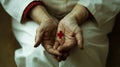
point(15, 7)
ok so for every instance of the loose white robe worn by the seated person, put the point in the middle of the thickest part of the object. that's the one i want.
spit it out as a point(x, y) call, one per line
point(94, 33)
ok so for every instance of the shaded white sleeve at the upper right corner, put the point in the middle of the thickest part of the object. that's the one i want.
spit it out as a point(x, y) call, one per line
point(102, 10)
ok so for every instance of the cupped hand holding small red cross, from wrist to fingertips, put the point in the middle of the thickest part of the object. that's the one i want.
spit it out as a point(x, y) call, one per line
point(69, 34)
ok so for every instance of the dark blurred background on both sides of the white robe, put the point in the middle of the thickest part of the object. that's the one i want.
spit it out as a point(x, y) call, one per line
point(8, 43)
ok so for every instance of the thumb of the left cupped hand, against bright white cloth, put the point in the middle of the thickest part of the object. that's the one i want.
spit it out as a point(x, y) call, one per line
point(38, 37)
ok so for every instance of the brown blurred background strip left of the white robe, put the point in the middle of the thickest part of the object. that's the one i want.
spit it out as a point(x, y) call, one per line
point(8, 43)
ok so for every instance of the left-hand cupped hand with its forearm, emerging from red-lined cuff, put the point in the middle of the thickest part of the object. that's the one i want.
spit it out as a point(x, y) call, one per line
point(46, 32)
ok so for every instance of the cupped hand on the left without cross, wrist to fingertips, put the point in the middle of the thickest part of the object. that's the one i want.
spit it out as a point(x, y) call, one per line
point(45, 34)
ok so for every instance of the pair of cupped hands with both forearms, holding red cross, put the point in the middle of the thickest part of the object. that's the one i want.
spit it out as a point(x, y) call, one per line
point(49, 31)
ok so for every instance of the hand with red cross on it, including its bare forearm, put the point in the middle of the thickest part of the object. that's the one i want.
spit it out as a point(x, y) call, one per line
point(69, 33)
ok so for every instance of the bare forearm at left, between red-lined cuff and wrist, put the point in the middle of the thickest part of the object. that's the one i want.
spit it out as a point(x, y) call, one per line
point(39, 14)
